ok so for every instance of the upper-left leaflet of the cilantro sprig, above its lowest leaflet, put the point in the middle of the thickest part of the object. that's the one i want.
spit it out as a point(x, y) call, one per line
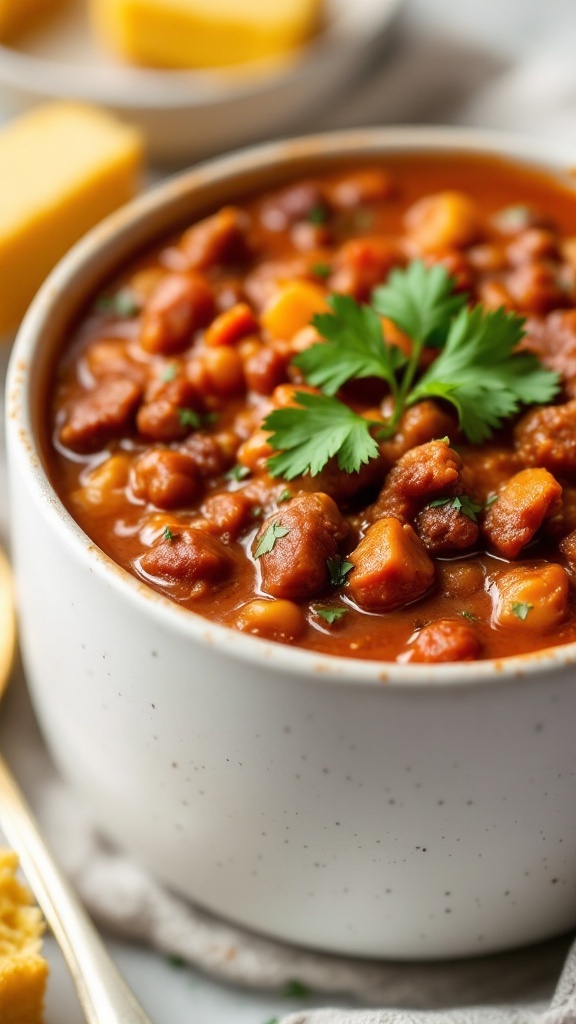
point(355, 348)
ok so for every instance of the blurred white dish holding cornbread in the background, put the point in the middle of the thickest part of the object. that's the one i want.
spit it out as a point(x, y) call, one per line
point(191, 115)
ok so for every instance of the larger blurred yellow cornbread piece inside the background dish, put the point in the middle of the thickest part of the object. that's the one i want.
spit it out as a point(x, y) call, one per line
point(203, 33)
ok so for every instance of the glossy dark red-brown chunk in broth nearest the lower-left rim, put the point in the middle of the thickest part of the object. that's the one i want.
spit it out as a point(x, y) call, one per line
point(191, 557)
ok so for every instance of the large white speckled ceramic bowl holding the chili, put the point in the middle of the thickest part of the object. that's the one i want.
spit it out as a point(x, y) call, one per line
point(358, 807)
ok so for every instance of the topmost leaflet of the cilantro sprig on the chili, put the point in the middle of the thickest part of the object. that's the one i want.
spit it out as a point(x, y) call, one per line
point(421, 302)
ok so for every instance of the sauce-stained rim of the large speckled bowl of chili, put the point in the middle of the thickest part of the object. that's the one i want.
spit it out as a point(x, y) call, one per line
point(539, 154)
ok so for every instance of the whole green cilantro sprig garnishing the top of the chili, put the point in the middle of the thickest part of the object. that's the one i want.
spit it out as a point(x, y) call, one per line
point(478, 371)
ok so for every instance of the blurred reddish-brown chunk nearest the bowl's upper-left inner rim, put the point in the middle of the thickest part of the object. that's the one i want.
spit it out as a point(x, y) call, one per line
point(220, 239)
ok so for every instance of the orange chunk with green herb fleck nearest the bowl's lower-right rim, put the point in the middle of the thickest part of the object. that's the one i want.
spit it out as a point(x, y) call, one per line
point(530, 598)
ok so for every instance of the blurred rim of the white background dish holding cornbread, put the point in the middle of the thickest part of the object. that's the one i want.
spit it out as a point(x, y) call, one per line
point(140, 89)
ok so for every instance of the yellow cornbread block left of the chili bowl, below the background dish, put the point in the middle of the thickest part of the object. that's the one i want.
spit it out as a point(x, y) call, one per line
point(63, 168)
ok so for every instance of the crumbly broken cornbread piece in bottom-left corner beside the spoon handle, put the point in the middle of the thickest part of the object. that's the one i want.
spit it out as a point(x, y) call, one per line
point(23, 971)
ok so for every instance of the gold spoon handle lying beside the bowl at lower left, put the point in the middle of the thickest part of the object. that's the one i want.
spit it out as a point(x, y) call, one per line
point(104, 995)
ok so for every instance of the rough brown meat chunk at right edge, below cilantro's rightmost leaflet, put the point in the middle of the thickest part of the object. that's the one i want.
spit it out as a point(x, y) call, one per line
point(547, 438)
